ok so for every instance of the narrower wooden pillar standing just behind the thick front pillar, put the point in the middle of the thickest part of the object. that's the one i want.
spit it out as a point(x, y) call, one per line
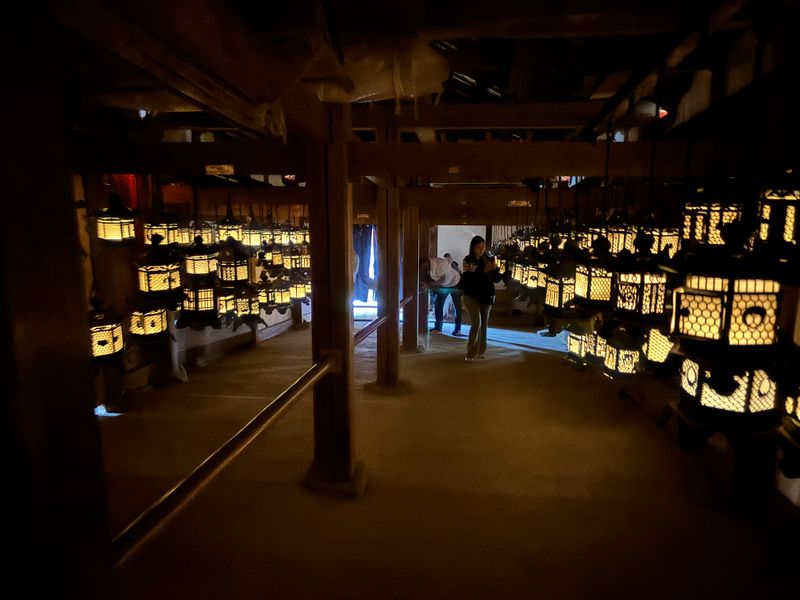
point(388, 287)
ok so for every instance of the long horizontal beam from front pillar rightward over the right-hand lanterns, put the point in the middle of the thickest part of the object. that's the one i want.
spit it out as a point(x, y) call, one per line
point(455, 162)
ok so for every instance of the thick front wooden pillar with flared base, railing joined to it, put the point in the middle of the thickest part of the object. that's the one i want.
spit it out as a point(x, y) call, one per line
point(330, 217)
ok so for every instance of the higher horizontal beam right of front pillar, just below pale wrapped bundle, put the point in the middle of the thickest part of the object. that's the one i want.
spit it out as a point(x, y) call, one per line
point(541, 115)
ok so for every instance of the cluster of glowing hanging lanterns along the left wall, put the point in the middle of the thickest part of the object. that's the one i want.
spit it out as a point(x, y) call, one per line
point(206, 282)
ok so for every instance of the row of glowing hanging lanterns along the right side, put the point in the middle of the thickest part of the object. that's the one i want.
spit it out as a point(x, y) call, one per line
point(714, 306)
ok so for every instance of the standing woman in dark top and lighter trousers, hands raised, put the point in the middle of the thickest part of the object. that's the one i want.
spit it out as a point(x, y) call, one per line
point(480, 272)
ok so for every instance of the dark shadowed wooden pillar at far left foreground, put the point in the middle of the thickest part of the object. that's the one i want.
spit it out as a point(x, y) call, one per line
point(55, 522)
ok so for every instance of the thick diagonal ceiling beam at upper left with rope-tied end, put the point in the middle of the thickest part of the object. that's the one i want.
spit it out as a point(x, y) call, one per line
point(217, 72)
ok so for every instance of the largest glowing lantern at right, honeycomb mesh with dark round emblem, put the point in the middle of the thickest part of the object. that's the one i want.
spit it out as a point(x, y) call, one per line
point(729, 310)
